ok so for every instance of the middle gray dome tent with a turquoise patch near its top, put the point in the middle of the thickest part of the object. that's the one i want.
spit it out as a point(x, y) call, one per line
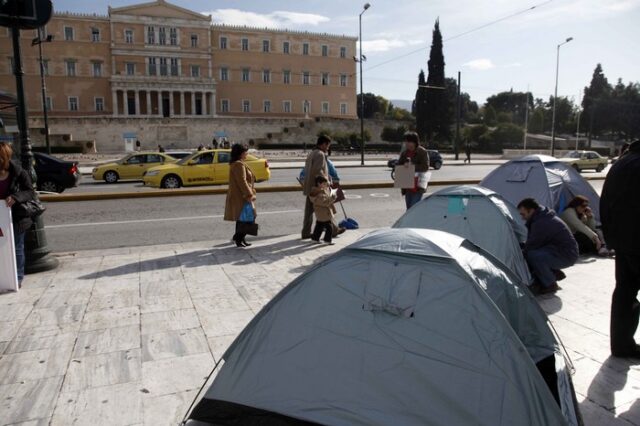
point(479, 215)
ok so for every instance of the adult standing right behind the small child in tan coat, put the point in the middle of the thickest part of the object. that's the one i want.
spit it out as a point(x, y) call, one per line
point(315, 165)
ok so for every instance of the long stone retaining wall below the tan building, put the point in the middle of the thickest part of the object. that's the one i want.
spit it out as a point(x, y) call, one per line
point(188, 133)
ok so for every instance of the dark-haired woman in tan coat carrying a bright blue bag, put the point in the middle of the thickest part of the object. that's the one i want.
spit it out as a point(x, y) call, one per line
point(241, 190)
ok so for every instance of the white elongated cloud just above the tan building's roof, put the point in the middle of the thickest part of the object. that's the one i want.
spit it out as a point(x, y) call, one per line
point(277, 19)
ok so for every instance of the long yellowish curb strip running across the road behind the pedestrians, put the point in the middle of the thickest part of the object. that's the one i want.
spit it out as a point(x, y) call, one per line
point(159, 193)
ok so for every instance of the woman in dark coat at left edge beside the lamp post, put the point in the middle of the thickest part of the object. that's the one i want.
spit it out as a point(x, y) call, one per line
point(15, 189)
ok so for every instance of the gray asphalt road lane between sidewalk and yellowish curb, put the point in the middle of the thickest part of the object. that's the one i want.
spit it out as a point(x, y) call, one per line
point(75, 226)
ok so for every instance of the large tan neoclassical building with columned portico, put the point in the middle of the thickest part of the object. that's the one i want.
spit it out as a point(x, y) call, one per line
point(158, 60)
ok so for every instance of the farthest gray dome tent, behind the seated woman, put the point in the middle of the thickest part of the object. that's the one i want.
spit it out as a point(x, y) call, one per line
point(547, 179)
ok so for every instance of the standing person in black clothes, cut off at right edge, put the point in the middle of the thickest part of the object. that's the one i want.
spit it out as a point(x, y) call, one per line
point(620, 215)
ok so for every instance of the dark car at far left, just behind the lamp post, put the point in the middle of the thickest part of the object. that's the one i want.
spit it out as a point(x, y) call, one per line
point(54, 174)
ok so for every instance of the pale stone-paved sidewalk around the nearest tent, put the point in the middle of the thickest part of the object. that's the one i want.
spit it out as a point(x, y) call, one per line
point(127, 336)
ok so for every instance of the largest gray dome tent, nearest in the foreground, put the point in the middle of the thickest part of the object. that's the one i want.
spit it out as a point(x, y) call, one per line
point(403, 327)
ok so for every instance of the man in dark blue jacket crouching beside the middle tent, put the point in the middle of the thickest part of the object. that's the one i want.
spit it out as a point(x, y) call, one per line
point(550, 246)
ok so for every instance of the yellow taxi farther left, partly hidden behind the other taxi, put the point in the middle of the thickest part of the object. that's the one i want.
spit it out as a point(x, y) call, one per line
point(131, 167)
